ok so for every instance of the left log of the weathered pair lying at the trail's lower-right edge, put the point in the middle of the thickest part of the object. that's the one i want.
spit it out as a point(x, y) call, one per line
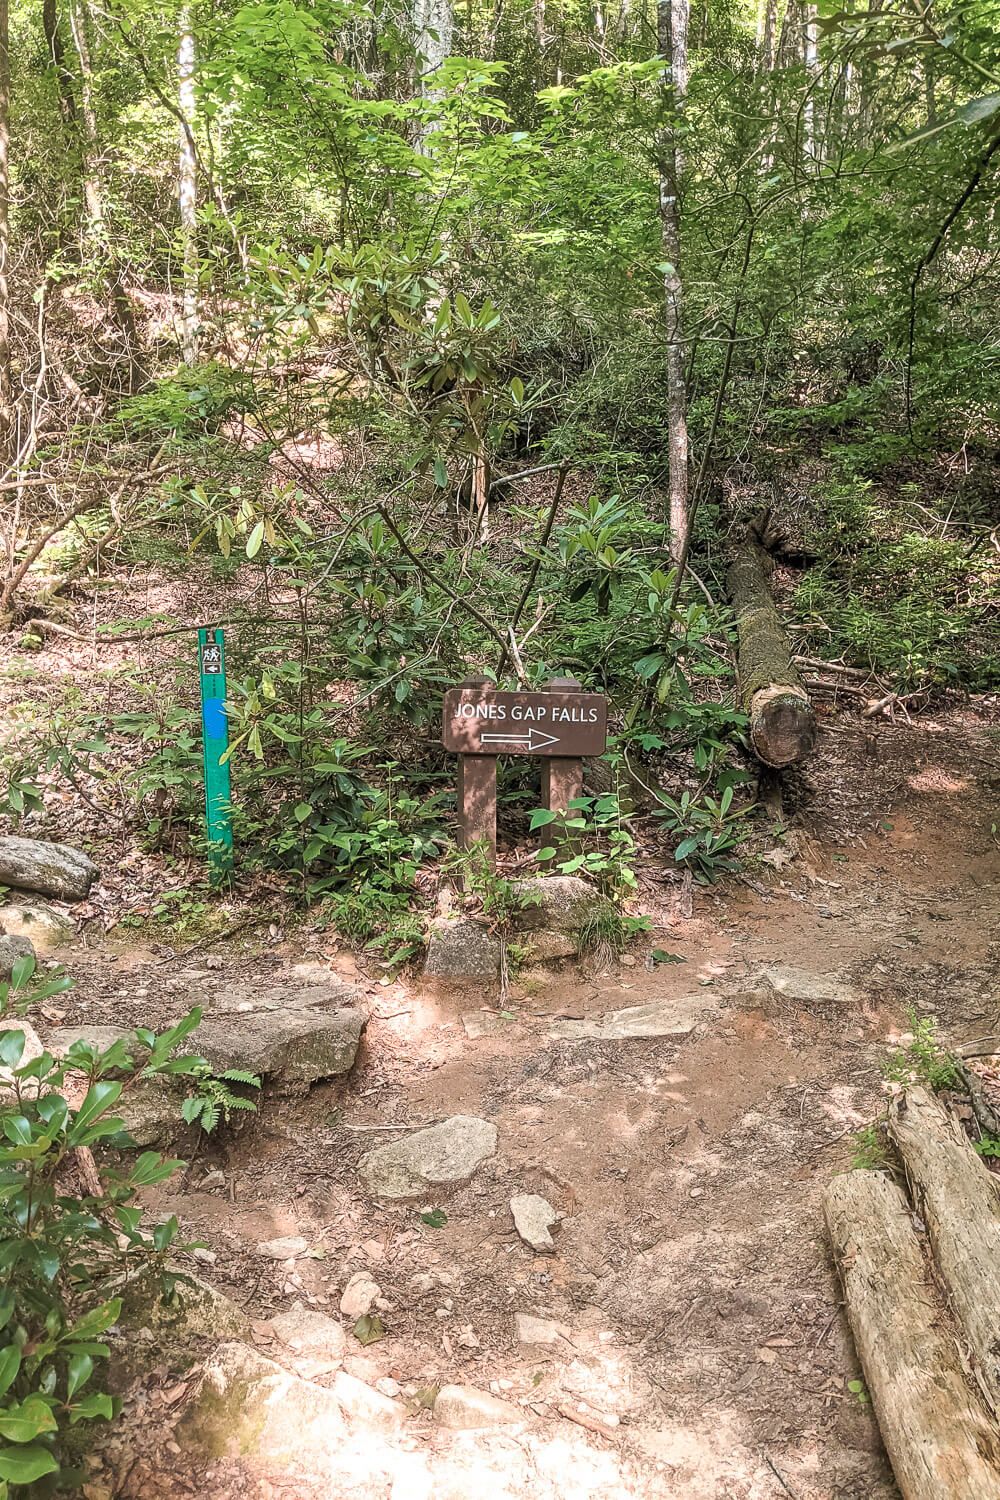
point(941, 1442)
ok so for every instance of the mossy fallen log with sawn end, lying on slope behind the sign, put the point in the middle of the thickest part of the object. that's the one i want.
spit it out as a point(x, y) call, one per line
point(782, 718)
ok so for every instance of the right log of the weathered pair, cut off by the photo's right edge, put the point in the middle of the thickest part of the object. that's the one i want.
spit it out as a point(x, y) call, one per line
point(957, 1199)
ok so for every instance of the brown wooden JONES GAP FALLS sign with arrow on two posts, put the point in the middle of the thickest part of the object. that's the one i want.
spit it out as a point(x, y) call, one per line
point(560, 727)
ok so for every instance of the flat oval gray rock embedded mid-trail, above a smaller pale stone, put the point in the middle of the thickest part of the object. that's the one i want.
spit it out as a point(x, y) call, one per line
point(442, 1156)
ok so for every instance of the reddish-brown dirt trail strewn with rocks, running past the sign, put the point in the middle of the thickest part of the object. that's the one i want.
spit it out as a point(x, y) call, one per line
point(701, 1315)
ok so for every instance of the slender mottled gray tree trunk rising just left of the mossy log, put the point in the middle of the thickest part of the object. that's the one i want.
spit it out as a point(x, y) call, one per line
point(672, 35)
